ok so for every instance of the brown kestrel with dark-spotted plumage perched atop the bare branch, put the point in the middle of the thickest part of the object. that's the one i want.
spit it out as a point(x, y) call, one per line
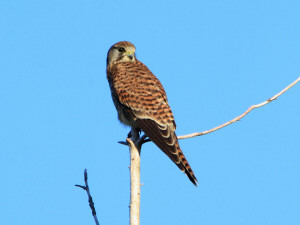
point(142, 103)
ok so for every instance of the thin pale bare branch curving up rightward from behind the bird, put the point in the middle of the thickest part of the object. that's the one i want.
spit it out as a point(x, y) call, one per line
point(242, 115)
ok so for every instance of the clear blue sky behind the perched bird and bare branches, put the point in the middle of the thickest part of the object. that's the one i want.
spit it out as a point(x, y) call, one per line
point(215, 59)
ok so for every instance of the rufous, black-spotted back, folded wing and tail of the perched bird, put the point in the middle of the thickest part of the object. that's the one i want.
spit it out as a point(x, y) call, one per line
point(144, 96)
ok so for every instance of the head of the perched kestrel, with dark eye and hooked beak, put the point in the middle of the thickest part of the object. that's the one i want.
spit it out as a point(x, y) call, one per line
point(123, 51)
